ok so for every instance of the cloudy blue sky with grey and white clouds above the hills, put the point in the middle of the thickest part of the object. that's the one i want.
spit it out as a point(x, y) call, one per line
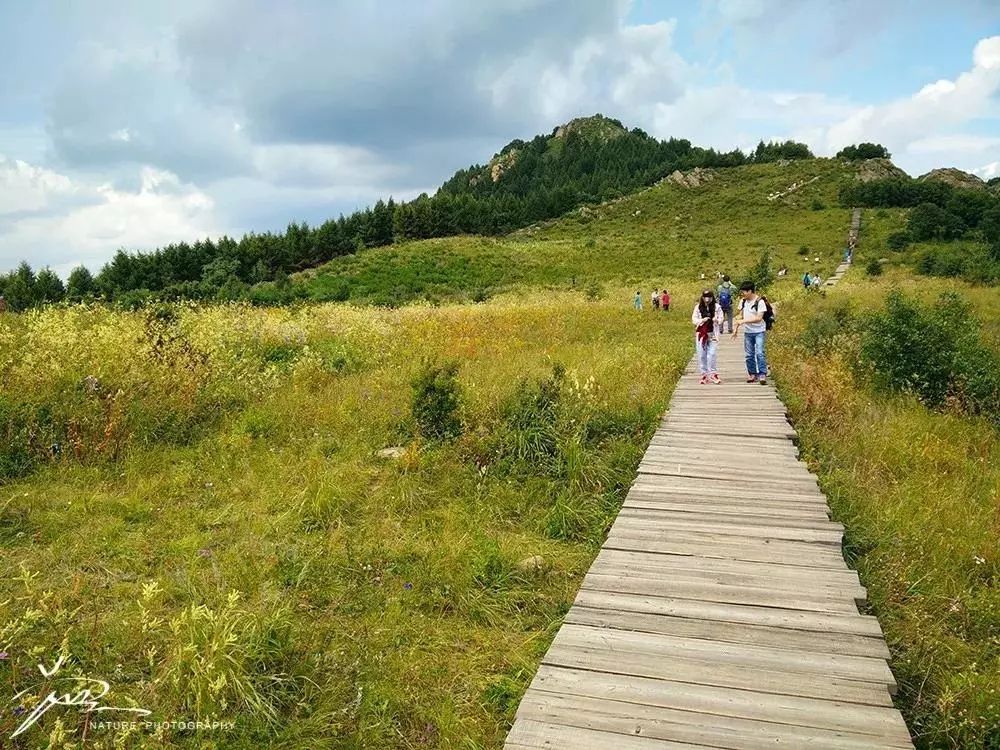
point(127, 124)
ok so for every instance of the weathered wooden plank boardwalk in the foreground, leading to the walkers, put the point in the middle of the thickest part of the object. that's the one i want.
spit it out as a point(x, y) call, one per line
point(719, 612)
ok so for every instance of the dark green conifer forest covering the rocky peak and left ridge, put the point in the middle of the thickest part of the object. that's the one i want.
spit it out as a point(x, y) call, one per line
point(541, 179)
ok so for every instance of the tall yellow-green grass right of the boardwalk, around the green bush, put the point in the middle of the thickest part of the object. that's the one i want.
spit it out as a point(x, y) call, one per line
point(916, 484)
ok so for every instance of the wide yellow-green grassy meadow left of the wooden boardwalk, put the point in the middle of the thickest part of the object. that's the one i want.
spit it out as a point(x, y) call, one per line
point(201, 518)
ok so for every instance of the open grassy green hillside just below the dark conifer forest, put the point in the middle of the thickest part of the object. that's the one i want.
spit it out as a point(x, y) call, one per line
point(670, 231)
